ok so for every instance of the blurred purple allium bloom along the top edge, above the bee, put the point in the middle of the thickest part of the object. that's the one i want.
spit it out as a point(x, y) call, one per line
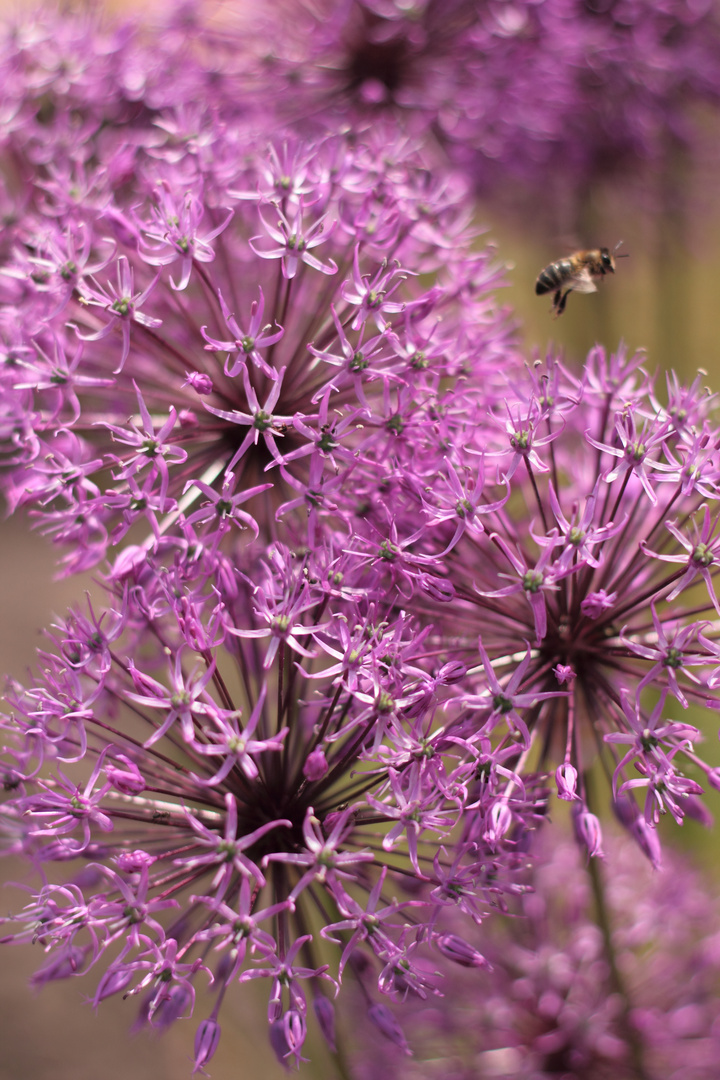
point(558, 93)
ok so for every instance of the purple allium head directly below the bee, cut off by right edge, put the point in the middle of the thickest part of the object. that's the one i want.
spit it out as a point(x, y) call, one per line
point(576, 526)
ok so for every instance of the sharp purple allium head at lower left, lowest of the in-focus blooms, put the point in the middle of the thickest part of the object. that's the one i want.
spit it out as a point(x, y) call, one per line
point(234, 777)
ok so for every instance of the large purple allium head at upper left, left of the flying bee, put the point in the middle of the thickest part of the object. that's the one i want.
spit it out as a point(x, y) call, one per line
point(239, 336)
